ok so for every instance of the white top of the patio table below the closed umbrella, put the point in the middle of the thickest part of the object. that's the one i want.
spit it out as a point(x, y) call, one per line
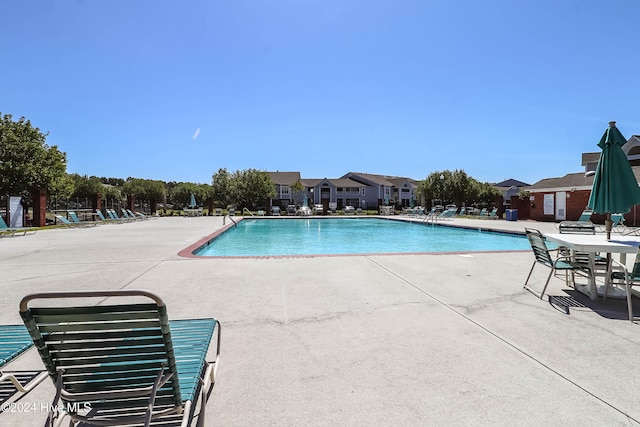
point(596, 242)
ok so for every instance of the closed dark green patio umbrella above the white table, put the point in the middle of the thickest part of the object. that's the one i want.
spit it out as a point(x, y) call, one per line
point(615, 188)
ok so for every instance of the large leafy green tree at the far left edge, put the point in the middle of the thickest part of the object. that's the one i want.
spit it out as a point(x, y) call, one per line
point(27, 163)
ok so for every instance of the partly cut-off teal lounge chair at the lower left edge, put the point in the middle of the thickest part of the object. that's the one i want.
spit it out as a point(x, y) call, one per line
point(15, 340)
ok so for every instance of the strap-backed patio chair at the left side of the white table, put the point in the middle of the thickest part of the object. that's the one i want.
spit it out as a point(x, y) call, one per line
point(542, 256)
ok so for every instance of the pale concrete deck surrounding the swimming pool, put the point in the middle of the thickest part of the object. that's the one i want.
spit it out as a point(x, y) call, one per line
point(355, 340)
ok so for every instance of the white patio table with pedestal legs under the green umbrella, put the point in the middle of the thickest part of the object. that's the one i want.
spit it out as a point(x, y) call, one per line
point(592, 244)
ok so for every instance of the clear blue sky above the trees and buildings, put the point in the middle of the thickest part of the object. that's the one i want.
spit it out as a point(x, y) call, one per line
point(175, 90)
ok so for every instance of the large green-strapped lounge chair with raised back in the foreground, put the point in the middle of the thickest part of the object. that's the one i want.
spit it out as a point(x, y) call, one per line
point(122, 362)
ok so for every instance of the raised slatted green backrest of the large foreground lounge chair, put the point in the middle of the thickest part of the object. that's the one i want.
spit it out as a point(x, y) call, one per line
point(108, 349)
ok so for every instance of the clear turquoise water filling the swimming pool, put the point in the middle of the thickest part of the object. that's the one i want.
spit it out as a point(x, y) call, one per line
point(279, 237)
